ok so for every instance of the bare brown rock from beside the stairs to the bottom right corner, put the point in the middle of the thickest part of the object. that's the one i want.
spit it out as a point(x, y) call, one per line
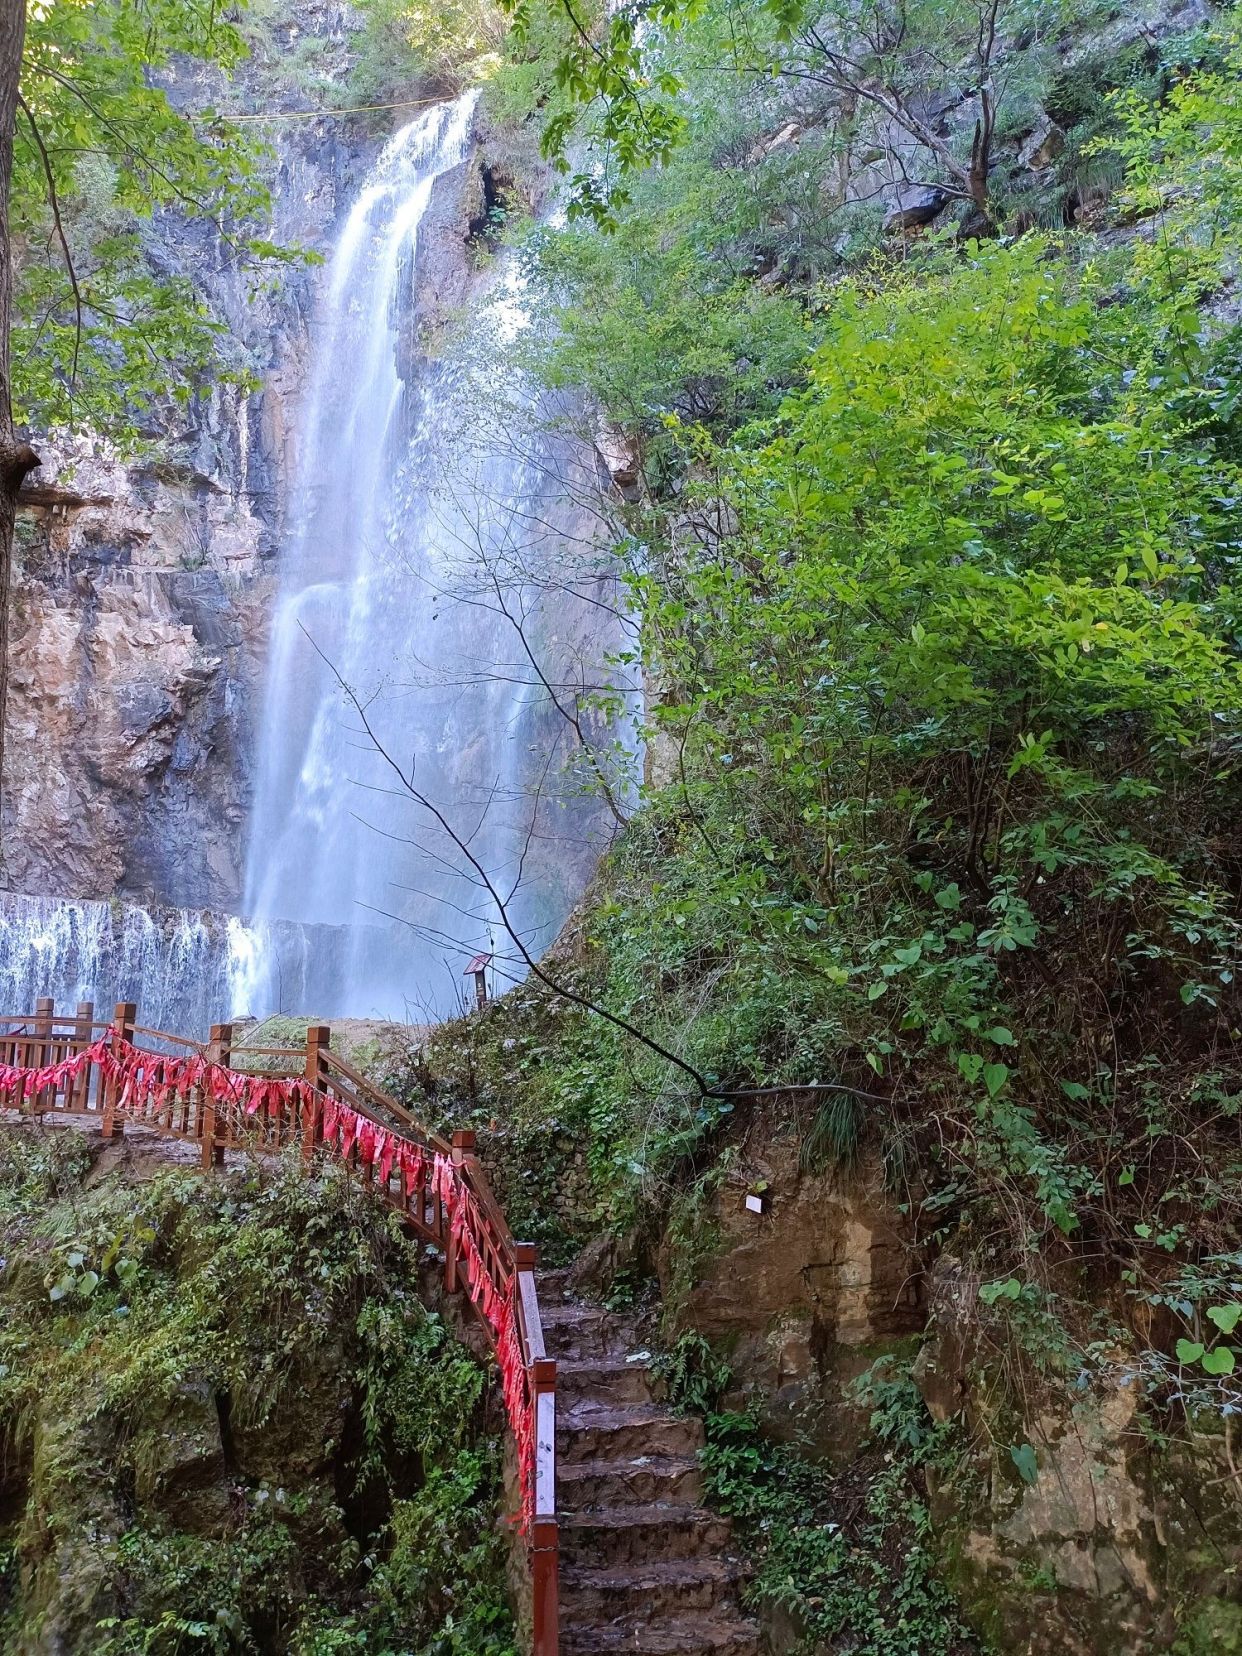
point(1112, 1546)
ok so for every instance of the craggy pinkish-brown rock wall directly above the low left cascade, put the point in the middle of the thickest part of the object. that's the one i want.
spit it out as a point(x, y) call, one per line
point(138, 627)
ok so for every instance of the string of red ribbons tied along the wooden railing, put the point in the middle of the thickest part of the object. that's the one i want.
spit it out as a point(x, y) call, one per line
point(153, 1079)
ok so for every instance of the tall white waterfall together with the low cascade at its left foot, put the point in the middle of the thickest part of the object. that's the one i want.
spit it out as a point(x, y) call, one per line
point(418, 789)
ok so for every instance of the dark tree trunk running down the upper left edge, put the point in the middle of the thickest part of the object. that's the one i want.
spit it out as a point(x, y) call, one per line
point(16, 458)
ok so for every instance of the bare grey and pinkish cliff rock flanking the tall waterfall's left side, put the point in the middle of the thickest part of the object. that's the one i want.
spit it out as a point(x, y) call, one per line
point(143, 590)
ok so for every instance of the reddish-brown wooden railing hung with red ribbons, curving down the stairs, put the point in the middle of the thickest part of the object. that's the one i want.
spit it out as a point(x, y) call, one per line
point(266, 1099)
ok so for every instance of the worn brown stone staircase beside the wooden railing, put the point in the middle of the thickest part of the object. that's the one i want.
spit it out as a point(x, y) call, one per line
point(645, 1567)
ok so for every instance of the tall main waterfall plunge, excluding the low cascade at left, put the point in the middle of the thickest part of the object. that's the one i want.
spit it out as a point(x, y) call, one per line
point(415, 529)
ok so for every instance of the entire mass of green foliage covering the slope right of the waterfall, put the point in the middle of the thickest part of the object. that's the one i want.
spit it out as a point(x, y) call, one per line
point(943, 672)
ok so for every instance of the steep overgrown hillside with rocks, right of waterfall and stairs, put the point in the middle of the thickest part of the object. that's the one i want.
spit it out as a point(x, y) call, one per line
point(895, 1051)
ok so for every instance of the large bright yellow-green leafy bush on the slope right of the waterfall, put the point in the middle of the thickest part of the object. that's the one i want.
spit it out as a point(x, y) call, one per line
point(970, 516)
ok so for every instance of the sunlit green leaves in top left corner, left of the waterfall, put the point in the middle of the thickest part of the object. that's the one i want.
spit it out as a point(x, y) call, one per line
point(103, 335)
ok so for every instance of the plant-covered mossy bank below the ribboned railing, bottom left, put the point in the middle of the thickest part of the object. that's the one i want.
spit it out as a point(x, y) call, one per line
point(289, 1307)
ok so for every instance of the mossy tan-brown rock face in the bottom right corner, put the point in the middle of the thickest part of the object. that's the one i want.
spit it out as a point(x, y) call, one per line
point(1074, 1529)
